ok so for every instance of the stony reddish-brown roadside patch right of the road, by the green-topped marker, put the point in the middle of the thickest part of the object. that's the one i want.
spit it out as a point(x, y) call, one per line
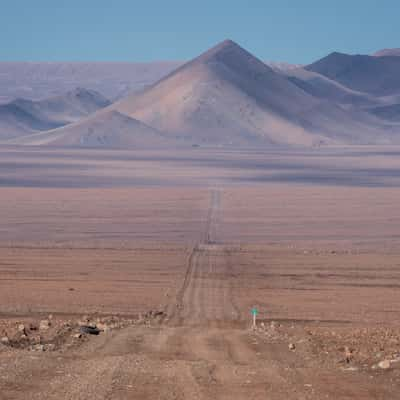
point(347, 348)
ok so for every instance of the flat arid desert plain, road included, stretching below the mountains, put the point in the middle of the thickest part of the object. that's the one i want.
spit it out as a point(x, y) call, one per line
point(168, 252)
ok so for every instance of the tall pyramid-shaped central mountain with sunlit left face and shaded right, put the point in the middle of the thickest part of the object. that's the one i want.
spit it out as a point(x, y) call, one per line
point(228, 96)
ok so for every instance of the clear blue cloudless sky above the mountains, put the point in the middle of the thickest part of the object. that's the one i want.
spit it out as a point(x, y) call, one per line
point(131, 30)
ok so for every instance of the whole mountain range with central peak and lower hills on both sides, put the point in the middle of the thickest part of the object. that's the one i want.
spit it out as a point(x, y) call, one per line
point(226, 96)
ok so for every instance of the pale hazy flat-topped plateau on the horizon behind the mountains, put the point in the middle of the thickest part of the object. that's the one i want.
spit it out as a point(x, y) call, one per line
point(39, 80)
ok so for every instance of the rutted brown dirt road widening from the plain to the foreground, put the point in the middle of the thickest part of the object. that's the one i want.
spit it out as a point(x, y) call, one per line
point(203, 349)
